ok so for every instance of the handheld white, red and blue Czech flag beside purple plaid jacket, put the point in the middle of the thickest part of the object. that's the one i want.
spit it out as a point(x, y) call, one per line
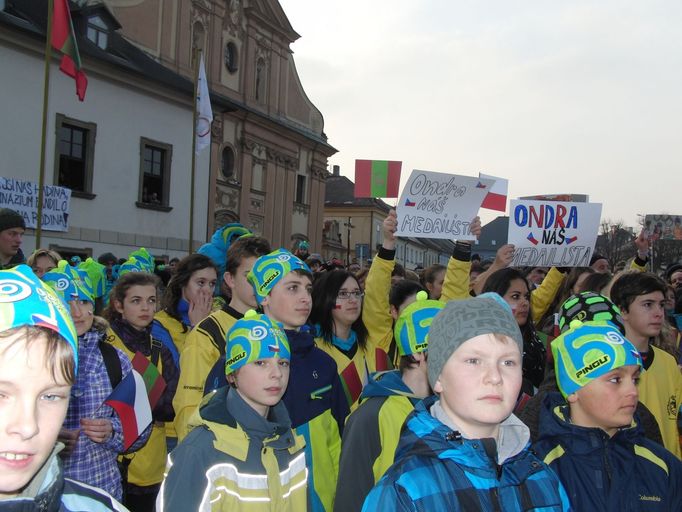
point(129, 400)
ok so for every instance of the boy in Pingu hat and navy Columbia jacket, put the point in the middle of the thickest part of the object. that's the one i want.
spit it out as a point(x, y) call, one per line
point(591, 436)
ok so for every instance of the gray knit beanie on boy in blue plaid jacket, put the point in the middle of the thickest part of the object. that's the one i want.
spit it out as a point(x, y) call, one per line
point(462, 320)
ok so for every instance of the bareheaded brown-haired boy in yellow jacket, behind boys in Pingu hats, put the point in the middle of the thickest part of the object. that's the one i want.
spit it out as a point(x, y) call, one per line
point(205, 344)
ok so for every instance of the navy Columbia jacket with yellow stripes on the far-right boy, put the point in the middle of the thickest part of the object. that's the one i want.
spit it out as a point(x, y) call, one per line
point(621, 473)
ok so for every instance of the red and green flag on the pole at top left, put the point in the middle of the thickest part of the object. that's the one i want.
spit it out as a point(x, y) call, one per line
point(64, 40)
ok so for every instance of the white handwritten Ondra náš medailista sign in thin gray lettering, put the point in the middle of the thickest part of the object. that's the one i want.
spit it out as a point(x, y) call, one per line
point(437, 205)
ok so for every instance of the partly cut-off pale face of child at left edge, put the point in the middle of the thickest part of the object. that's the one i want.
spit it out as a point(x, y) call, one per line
point(32, 409)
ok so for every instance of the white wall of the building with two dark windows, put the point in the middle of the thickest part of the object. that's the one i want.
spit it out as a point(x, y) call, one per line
point(111, 221)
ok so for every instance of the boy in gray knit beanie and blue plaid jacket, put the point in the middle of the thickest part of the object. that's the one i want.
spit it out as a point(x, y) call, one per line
point(463, 449)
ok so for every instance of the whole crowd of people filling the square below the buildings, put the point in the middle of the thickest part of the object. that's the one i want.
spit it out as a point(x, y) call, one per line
point(293, 383)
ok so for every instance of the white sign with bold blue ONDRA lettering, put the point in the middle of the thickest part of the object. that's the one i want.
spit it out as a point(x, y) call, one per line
point(553, 233)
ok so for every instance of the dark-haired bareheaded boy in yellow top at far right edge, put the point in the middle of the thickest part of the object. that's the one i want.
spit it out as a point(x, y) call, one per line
point(641, 299)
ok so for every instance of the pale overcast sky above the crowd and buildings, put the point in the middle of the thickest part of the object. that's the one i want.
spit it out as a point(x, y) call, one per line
point(558, 97)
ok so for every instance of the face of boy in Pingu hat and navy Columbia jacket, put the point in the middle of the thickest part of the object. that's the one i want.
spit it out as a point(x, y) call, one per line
point(608, 402)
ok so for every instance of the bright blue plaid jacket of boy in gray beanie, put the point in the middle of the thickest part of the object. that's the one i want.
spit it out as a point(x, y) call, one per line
point(436, 469)
